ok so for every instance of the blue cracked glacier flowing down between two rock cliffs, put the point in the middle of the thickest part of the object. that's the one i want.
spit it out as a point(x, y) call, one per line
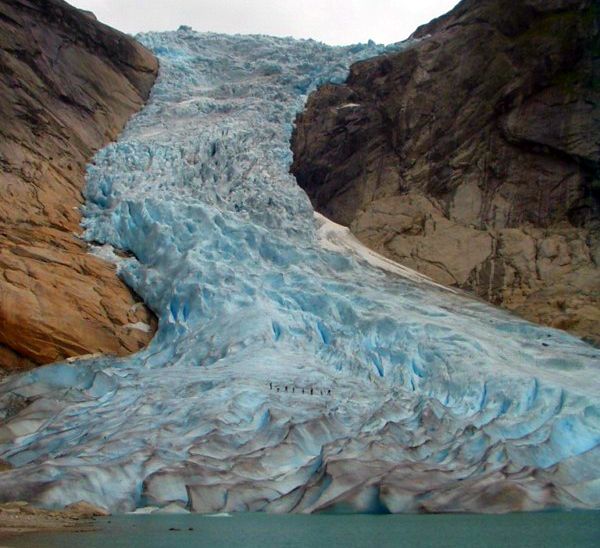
point(436, 401)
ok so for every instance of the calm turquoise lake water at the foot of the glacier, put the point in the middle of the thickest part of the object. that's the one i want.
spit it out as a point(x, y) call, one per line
point(547, 530)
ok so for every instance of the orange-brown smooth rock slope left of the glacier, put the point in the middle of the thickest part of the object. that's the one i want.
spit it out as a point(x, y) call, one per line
point(68, 84)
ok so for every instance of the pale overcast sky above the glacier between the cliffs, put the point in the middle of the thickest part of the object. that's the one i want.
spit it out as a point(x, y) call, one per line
point(331, 21)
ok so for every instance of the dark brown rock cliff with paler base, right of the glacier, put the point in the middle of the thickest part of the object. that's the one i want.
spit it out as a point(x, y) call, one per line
point(474, 155)
